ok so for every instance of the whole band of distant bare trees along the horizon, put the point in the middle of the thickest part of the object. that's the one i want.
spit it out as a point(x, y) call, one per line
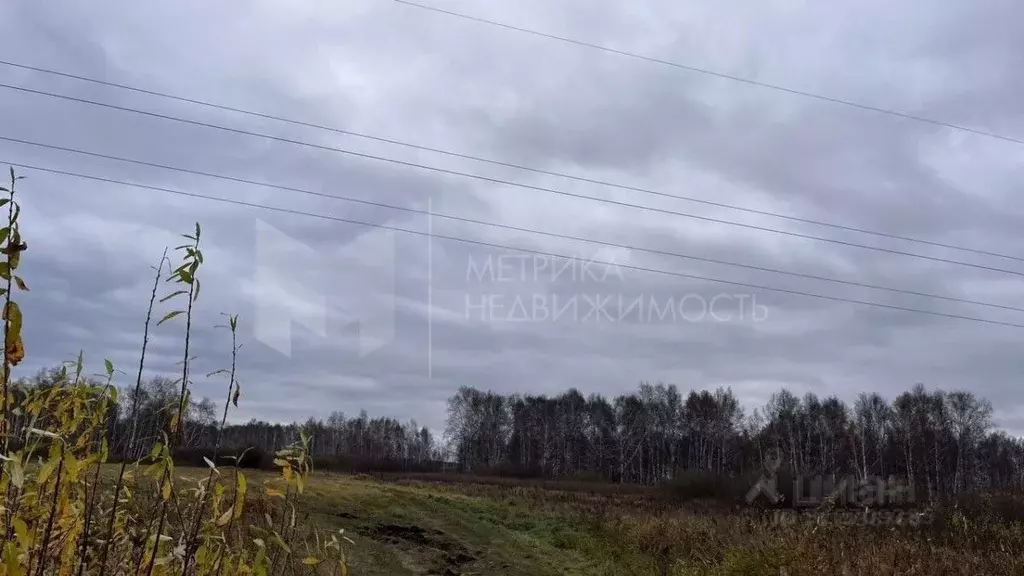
point(942, 442)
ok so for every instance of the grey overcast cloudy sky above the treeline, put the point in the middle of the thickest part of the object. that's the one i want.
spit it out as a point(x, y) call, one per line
point(337, 316)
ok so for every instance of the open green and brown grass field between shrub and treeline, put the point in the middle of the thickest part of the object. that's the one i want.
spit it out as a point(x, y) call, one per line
point(420, 526)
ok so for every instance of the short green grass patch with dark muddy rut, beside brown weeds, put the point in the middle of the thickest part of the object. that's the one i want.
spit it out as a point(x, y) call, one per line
point(425, 528)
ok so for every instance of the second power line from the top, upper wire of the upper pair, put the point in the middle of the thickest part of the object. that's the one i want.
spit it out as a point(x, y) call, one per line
point(506, 164)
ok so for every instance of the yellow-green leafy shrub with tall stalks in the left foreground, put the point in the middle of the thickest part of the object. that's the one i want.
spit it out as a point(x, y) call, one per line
point(63, 515)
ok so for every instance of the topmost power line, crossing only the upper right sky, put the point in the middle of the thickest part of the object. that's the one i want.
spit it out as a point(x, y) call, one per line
point(722, 75)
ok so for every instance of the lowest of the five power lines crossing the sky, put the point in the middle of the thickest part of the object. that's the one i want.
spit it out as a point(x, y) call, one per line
point(507, 248)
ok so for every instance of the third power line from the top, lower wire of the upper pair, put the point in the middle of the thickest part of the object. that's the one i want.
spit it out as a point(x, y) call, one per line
point(506, 183)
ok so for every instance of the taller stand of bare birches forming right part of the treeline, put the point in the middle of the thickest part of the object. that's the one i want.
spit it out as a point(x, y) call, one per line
point(940, 442)
